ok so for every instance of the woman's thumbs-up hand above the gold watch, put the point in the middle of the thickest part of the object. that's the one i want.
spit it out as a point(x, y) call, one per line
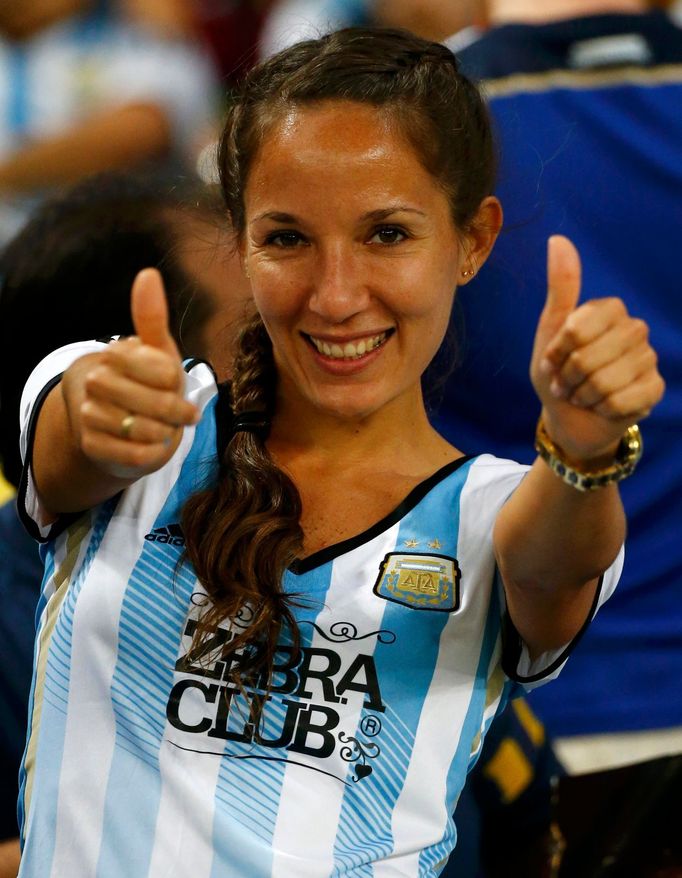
point(592, 365)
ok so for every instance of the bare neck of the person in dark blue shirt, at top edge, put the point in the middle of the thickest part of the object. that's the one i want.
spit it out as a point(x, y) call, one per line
point(536, 12)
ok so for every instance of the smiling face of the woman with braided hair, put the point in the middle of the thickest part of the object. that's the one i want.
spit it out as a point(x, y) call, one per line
point(353, 258)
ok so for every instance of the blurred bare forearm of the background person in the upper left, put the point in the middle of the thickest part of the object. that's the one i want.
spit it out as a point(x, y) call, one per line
point(116, 139)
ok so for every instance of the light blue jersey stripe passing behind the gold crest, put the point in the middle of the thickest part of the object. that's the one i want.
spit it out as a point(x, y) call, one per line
point(418, 634)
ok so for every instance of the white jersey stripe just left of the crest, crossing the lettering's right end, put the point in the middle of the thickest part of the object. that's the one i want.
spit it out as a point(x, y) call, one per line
point(302, 849)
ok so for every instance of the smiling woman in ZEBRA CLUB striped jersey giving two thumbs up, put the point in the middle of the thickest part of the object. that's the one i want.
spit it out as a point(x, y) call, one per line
point(273, 644)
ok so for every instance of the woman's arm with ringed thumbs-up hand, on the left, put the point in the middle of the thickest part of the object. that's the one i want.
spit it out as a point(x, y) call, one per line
point(81, 454)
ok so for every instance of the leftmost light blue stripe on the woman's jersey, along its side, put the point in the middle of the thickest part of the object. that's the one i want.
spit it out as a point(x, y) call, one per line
point(38, 855)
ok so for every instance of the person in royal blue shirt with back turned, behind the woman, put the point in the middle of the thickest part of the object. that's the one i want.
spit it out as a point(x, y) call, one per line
point(586, 97)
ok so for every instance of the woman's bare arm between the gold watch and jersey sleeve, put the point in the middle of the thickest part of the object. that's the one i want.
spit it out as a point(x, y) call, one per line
point(552, 543)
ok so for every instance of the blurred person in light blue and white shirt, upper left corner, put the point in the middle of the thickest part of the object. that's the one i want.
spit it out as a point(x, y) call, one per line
point(85, 89)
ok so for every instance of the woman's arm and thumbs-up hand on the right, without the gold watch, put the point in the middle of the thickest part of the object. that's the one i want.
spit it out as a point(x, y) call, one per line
point(595, 374)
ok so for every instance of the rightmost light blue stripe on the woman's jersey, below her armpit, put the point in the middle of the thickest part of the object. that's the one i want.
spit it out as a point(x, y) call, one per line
point(462, 761)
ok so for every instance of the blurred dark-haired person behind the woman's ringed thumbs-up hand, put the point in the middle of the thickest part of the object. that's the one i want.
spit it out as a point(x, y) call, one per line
point(109, 226)
